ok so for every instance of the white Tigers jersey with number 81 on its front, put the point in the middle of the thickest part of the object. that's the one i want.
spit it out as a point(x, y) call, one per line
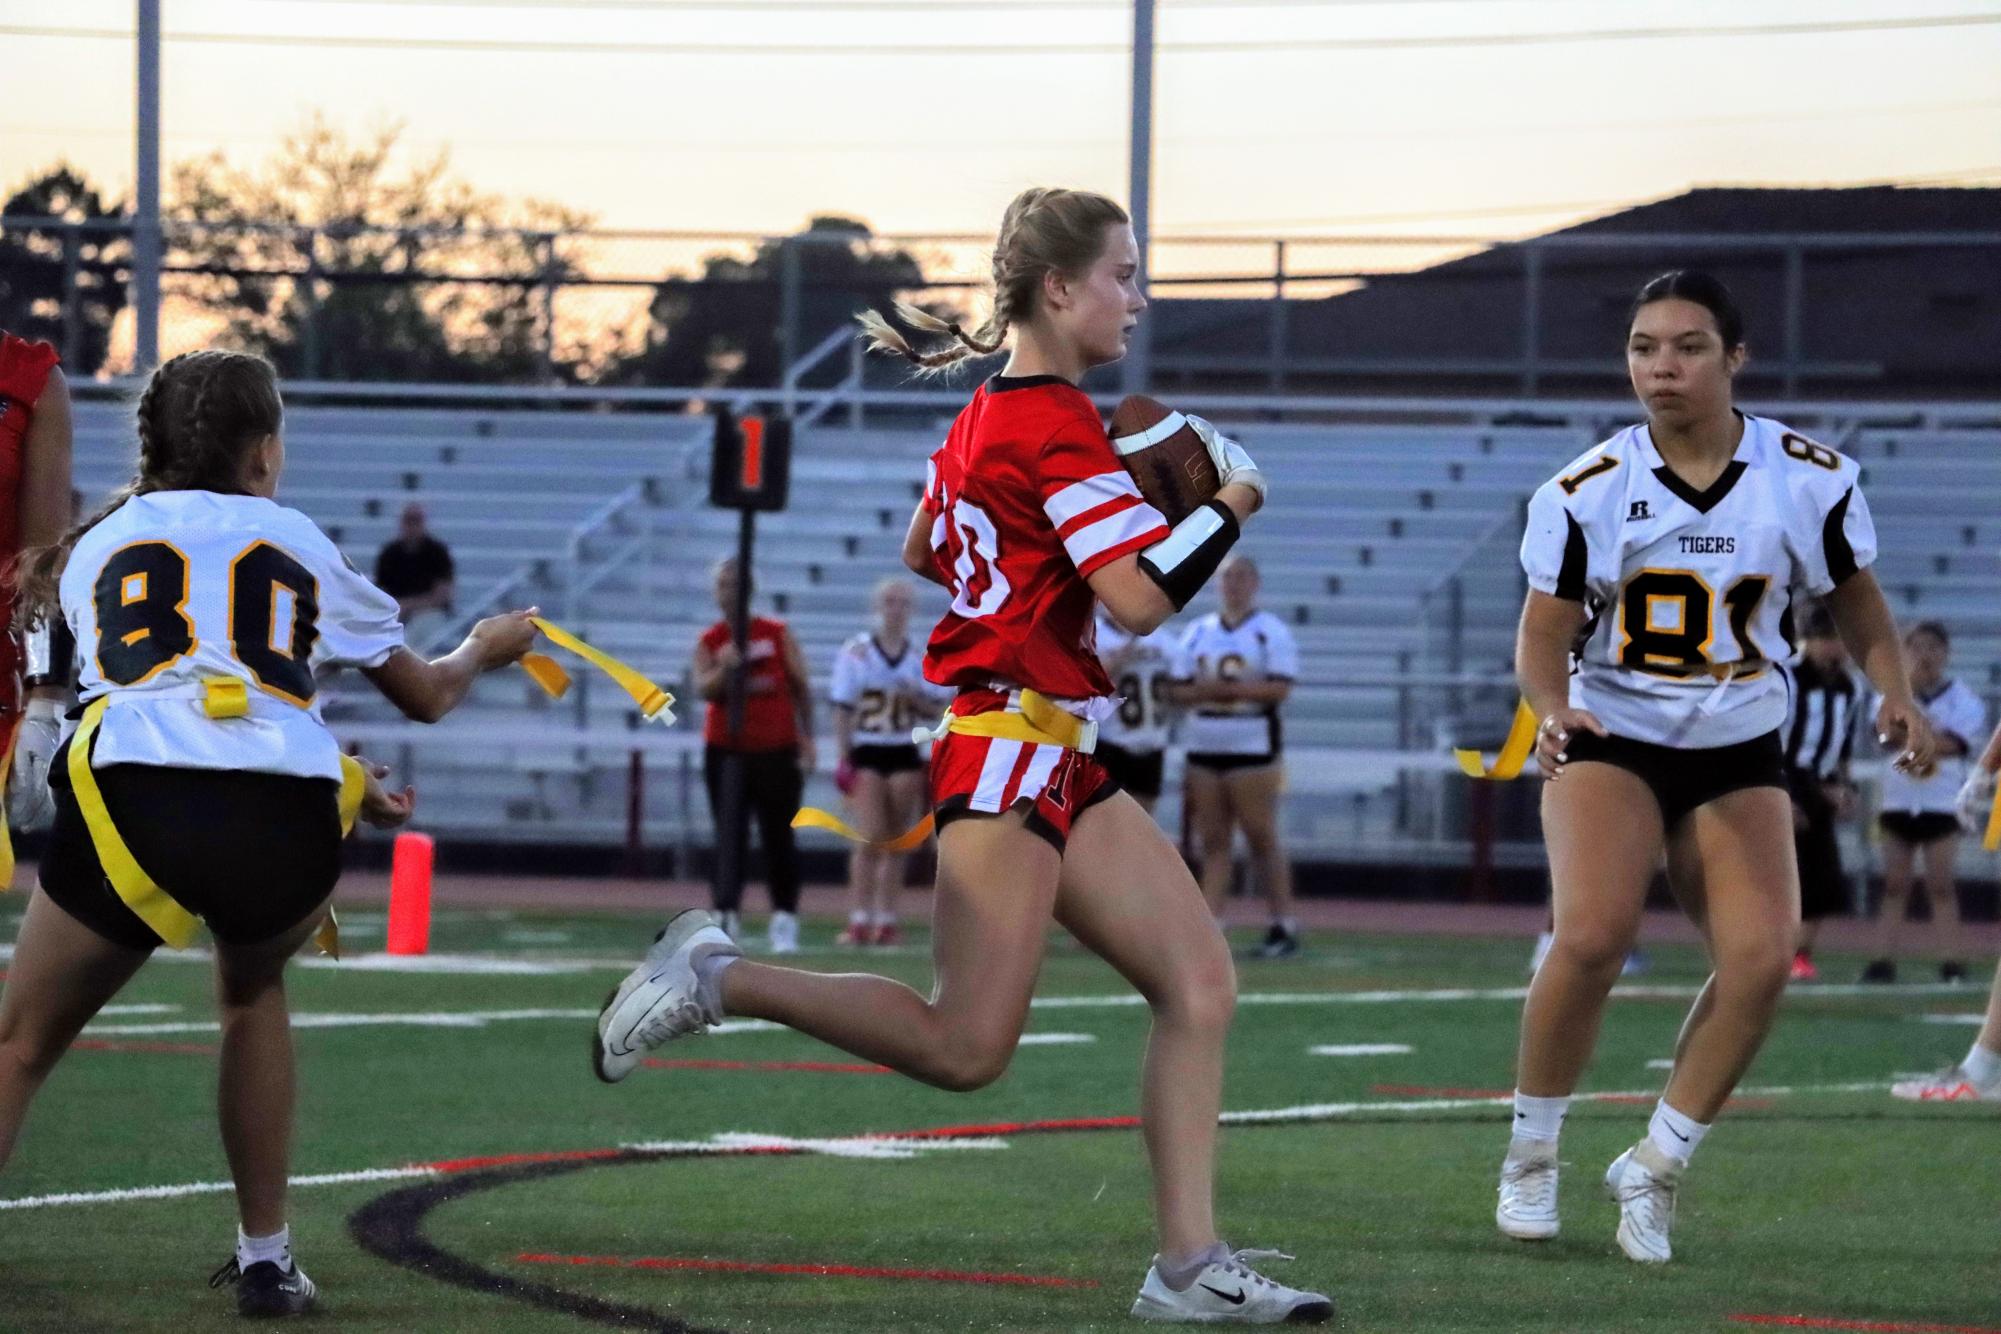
point(1686, 589)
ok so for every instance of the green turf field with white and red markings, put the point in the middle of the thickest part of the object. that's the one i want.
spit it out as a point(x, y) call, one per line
point(1820, 1203)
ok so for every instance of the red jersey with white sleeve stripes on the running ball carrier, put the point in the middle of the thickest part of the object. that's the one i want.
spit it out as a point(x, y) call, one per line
point(1028, 501)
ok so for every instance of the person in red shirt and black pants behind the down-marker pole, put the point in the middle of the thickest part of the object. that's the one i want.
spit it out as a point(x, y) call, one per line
point(775, 749)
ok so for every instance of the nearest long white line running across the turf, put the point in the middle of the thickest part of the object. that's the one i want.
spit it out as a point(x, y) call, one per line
point(851, 1147)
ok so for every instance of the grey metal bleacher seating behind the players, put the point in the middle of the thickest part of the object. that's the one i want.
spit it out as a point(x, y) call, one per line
point(1390, 549)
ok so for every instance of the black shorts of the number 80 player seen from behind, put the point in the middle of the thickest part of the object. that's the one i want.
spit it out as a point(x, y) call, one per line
point(251, 855)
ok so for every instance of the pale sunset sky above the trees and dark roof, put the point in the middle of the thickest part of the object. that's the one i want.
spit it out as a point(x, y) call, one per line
point(927, 115)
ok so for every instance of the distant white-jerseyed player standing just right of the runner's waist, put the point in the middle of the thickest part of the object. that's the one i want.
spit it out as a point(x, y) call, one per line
point(1234, 671)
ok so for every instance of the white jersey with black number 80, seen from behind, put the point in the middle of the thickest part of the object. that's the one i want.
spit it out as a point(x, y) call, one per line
point(177, 587)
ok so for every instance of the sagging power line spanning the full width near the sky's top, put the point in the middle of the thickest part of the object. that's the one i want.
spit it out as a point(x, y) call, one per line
point(1040, 49)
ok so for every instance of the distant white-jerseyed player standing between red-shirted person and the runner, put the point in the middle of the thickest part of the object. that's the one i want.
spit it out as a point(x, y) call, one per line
point(879, 693)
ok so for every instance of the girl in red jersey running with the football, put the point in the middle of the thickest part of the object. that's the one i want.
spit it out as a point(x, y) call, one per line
point(1028, 517)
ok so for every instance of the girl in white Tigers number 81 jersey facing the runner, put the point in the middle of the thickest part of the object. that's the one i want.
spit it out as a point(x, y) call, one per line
point(1668, 557)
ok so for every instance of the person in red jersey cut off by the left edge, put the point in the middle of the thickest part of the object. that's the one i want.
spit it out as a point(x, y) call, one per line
point(35, 509)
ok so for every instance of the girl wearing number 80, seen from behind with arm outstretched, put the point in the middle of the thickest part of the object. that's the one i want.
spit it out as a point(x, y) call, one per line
point(187, 577)
